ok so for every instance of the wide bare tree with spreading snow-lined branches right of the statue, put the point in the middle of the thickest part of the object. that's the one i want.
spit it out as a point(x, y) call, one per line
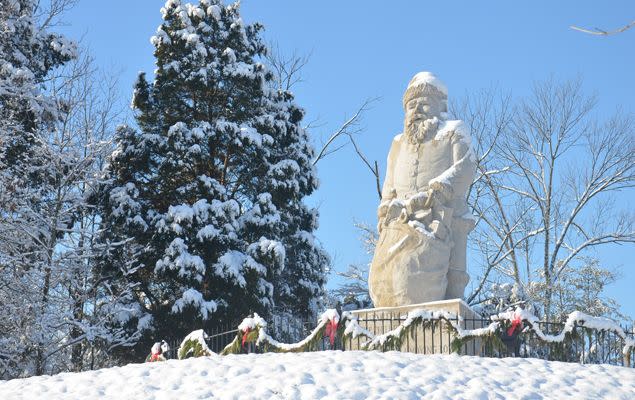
point(547, 171)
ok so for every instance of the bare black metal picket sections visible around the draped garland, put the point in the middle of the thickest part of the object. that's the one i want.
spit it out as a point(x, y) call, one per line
point(584, 346)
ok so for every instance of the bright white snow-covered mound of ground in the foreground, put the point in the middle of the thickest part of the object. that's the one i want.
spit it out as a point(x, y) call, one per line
point(334, 375)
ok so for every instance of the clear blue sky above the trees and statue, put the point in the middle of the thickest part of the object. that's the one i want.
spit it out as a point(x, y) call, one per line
point(363, 49)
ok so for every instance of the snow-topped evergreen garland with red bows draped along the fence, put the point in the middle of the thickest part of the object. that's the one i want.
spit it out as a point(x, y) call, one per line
point(346, 326)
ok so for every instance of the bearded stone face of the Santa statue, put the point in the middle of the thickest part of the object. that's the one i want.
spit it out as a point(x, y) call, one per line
point(422, 117)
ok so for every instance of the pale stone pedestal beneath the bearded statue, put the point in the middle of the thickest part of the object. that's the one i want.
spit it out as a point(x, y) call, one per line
point(436, 339)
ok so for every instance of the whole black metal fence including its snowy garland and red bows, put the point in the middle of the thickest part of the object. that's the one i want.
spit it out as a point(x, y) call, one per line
point(582, 338)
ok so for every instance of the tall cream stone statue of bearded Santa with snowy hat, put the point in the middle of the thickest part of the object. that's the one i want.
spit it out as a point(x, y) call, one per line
point(423, 215)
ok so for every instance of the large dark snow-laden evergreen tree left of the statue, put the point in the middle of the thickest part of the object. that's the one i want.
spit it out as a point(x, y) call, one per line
point(206, 200)
